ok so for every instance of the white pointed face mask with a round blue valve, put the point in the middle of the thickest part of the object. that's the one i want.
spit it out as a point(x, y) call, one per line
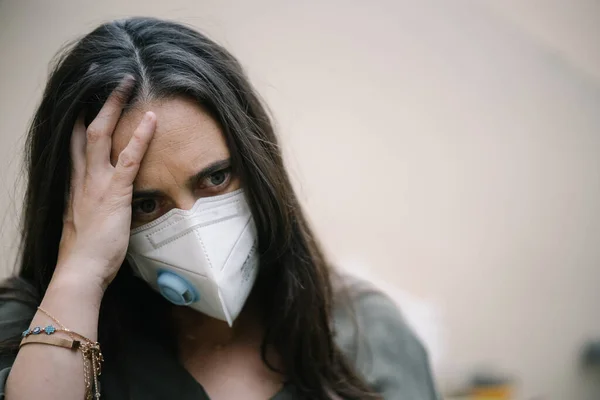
point(204, 257)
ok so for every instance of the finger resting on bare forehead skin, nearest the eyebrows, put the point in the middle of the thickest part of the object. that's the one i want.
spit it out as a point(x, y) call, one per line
point(131, 157)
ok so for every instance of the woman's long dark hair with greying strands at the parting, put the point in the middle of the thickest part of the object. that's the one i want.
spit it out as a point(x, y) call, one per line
point(169, 59)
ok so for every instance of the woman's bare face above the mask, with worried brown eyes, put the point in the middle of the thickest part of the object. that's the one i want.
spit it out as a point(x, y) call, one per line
point(187, 158)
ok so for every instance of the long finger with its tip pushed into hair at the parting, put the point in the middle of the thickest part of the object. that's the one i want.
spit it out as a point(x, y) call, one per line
point(100, 131)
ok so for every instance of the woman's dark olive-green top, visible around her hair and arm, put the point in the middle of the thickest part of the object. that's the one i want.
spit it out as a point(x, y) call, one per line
point(389, 355)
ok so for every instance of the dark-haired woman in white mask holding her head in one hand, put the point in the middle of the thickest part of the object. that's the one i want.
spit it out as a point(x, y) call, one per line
point(154, 170)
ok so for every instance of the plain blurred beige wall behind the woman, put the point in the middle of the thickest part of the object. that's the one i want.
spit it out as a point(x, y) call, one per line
point(449, 149)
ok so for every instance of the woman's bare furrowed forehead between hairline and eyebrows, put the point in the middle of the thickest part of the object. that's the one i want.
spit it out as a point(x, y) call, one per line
point(186, 138)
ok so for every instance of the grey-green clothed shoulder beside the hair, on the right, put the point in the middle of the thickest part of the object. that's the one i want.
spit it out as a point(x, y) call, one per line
point(371, 330)
